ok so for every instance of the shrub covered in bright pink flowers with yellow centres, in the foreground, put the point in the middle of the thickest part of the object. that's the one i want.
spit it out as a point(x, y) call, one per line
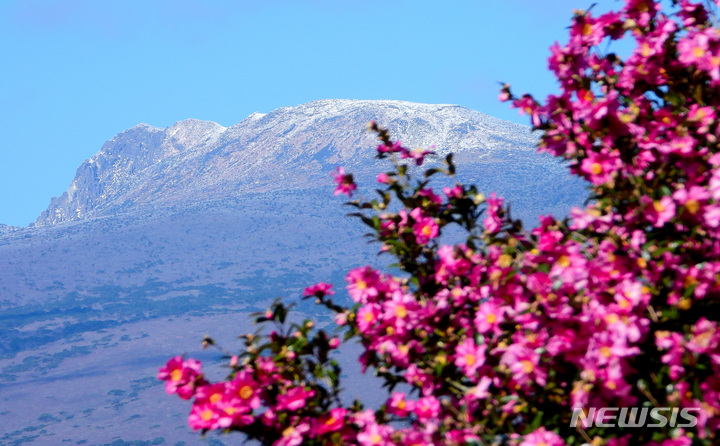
point(500, 337)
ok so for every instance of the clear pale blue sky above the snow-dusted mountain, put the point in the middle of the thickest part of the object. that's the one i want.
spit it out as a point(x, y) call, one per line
point(75, 73)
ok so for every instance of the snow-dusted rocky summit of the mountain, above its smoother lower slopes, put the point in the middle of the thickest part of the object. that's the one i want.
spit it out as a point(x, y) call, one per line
point(289, 148)
